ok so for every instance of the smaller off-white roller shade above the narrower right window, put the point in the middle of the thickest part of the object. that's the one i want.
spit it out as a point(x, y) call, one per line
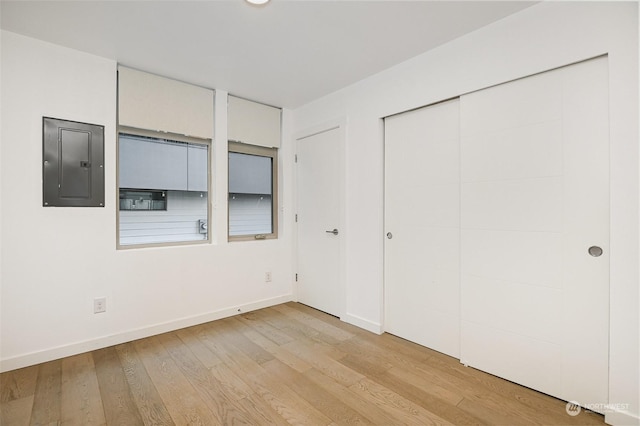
point(253, 123)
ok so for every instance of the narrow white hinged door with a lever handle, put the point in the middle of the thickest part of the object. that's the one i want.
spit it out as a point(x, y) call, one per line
point(320, 220)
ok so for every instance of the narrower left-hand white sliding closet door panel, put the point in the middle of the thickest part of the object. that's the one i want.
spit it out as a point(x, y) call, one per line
point(422, 220)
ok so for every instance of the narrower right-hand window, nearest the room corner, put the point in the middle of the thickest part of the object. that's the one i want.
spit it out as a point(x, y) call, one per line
point(252, 192)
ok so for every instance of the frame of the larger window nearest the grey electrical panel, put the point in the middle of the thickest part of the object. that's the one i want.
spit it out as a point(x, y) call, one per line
point(160, 135)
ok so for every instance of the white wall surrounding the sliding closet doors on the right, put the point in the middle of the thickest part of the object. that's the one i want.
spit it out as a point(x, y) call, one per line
point(543, 37)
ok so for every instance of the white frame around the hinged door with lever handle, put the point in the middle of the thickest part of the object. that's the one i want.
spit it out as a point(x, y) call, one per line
point(341, 125)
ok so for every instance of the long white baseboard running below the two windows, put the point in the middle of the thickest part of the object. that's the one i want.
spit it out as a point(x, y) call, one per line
point(128, 336)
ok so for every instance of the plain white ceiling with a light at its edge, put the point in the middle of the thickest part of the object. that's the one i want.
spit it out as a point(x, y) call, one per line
point(286, 53)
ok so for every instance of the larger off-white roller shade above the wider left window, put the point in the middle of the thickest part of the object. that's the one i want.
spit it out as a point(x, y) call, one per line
point(147, 101)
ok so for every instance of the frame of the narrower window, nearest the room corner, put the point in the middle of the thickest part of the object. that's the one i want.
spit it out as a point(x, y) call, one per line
point(261, 151)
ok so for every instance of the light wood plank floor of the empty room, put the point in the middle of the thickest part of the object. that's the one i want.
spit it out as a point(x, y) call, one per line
point(280, 365)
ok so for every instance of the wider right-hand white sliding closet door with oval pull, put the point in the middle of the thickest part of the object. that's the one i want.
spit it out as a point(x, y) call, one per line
point(535, 231)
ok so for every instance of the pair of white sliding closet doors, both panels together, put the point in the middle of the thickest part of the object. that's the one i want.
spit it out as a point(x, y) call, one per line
point(516, 210)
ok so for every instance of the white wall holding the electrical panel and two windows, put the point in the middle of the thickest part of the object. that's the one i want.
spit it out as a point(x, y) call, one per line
point(56, 260)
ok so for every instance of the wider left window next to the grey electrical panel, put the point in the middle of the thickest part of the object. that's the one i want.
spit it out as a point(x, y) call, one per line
point(163, 189)
